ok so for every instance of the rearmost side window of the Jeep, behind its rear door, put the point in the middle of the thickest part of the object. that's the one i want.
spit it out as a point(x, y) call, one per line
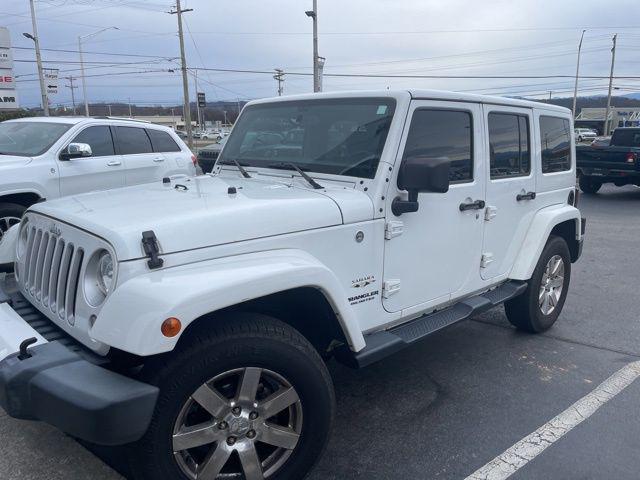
point(555, 143)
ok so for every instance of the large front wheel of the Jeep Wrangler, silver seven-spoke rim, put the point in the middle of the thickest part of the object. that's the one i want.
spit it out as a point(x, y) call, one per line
point(249, 399)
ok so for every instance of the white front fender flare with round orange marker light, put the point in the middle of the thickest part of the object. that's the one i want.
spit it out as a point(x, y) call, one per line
point(131, 317)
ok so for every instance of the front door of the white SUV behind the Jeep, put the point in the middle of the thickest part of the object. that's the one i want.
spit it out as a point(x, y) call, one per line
point(103, 170)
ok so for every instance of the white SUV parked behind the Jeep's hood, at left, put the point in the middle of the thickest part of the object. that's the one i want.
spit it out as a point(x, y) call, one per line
point(45, 158)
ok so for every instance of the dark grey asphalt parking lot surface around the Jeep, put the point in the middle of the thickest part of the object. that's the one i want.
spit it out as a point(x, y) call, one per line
point(451, 404)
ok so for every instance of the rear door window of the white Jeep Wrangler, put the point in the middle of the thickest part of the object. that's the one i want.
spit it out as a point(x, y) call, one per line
point(509, 145)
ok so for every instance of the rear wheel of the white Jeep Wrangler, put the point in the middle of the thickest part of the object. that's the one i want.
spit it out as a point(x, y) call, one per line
point(538, 308)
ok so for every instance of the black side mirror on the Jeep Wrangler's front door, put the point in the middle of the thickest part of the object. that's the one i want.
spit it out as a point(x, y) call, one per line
point(420, 174)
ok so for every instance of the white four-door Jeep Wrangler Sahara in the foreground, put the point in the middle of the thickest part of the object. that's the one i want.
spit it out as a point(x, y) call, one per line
point(190, 319)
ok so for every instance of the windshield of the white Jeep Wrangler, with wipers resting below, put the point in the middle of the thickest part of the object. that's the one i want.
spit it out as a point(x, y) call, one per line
point(343, 136)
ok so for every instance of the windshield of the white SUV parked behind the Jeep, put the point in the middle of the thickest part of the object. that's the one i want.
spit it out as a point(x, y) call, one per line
point(28, 139)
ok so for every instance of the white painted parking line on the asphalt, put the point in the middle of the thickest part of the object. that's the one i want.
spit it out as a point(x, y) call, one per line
point(516, 457)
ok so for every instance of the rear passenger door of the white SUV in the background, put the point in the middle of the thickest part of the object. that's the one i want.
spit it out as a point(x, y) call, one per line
point(143, 165)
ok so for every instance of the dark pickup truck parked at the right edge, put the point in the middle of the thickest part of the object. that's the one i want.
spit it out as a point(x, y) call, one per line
point(618, 163)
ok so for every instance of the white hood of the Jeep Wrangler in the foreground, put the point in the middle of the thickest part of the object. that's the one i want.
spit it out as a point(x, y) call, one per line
point(200, 212)
